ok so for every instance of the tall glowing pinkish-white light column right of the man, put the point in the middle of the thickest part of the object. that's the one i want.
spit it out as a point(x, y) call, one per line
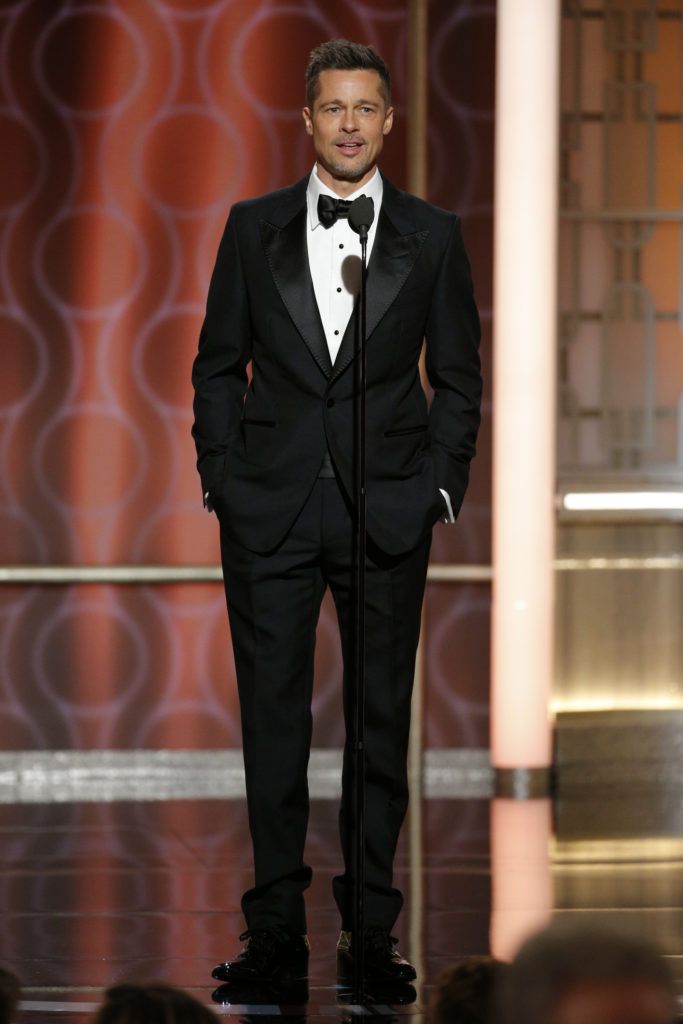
point(525, 344)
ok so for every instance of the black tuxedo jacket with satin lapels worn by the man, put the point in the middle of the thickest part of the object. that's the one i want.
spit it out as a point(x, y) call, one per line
point(261, 444)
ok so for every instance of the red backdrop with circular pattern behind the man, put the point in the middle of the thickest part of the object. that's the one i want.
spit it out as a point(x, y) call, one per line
point(127, 131)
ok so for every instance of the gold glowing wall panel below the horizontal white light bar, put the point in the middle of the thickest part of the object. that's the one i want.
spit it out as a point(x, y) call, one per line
point(619, 632)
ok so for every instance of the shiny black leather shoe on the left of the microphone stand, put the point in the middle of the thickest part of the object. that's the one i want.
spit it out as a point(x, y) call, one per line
point(270, 957)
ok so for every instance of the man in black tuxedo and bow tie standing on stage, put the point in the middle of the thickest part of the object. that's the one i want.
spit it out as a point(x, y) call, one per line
point(275, 454)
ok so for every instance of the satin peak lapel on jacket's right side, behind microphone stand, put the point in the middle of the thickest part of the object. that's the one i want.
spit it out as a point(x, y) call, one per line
point(392, 261)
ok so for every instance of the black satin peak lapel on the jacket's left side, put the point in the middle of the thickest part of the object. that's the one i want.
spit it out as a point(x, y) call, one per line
point(288, 259)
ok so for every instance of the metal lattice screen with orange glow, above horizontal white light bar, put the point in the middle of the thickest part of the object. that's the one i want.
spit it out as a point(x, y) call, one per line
point(621, 359)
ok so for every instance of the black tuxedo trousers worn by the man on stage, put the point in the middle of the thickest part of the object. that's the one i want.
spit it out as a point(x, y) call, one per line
point(274, 605)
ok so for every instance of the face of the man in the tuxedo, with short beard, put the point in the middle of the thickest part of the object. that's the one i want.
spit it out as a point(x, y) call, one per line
point(348, 123)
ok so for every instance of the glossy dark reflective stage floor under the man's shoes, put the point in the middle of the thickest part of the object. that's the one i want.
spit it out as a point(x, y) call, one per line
point(99, 893)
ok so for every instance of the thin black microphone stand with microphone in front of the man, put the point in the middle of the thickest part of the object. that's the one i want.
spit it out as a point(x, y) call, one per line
point(361, 217)
